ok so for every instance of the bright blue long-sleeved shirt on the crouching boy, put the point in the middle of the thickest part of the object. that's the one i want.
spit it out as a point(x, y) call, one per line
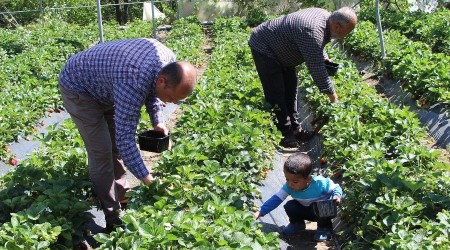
point(321, 188)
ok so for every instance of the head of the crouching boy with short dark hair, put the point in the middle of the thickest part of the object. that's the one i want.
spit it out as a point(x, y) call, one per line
point(297, 170)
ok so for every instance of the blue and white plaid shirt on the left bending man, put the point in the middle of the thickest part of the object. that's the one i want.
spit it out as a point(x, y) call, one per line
point(121, 74)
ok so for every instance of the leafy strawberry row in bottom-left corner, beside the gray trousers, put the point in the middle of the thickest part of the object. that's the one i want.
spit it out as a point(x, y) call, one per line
point(48, 192)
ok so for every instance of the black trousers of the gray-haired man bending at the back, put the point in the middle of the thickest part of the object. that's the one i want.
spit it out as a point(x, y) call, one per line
point(280, 91)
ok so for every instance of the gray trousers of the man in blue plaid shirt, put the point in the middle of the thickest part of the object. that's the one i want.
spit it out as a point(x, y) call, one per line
point(95, 122)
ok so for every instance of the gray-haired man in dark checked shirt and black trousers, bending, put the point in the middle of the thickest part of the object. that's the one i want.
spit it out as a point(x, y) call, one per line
point(279, 45)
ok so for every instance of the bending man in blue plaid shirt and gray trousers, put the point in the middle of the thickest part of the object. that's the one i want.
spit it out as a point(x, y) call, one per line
point(103, 89)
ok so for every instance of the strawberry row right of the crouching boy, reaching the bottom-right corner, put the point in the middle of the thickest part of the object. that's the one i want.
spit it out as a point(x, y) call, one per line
point(396, 189)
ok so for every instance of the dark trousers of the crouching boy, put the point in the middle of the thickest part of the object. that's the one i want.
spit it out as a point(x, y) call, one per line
point(298, 213)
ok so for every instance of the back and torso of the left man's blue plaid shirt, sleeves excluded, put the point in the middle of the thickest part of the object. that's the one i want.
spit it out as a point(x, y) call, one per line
point(108, 67)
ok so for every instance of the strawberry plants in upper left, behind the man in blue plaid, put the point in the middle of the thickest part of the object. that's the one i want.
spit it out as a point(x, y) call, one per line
point(31, 63)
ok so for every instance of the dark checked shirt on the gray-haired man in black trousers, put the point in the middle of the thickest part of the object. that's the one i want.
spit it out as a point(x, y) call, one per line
point(296, 38)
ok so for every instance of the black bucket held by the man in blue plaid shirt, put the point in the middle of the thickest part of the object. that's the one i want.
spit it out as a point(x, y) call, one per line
point(153, 141)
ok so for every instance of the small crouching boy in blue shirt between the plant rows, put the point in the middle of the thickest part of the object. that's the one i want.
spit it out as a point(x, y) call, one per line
point(304, 189)
